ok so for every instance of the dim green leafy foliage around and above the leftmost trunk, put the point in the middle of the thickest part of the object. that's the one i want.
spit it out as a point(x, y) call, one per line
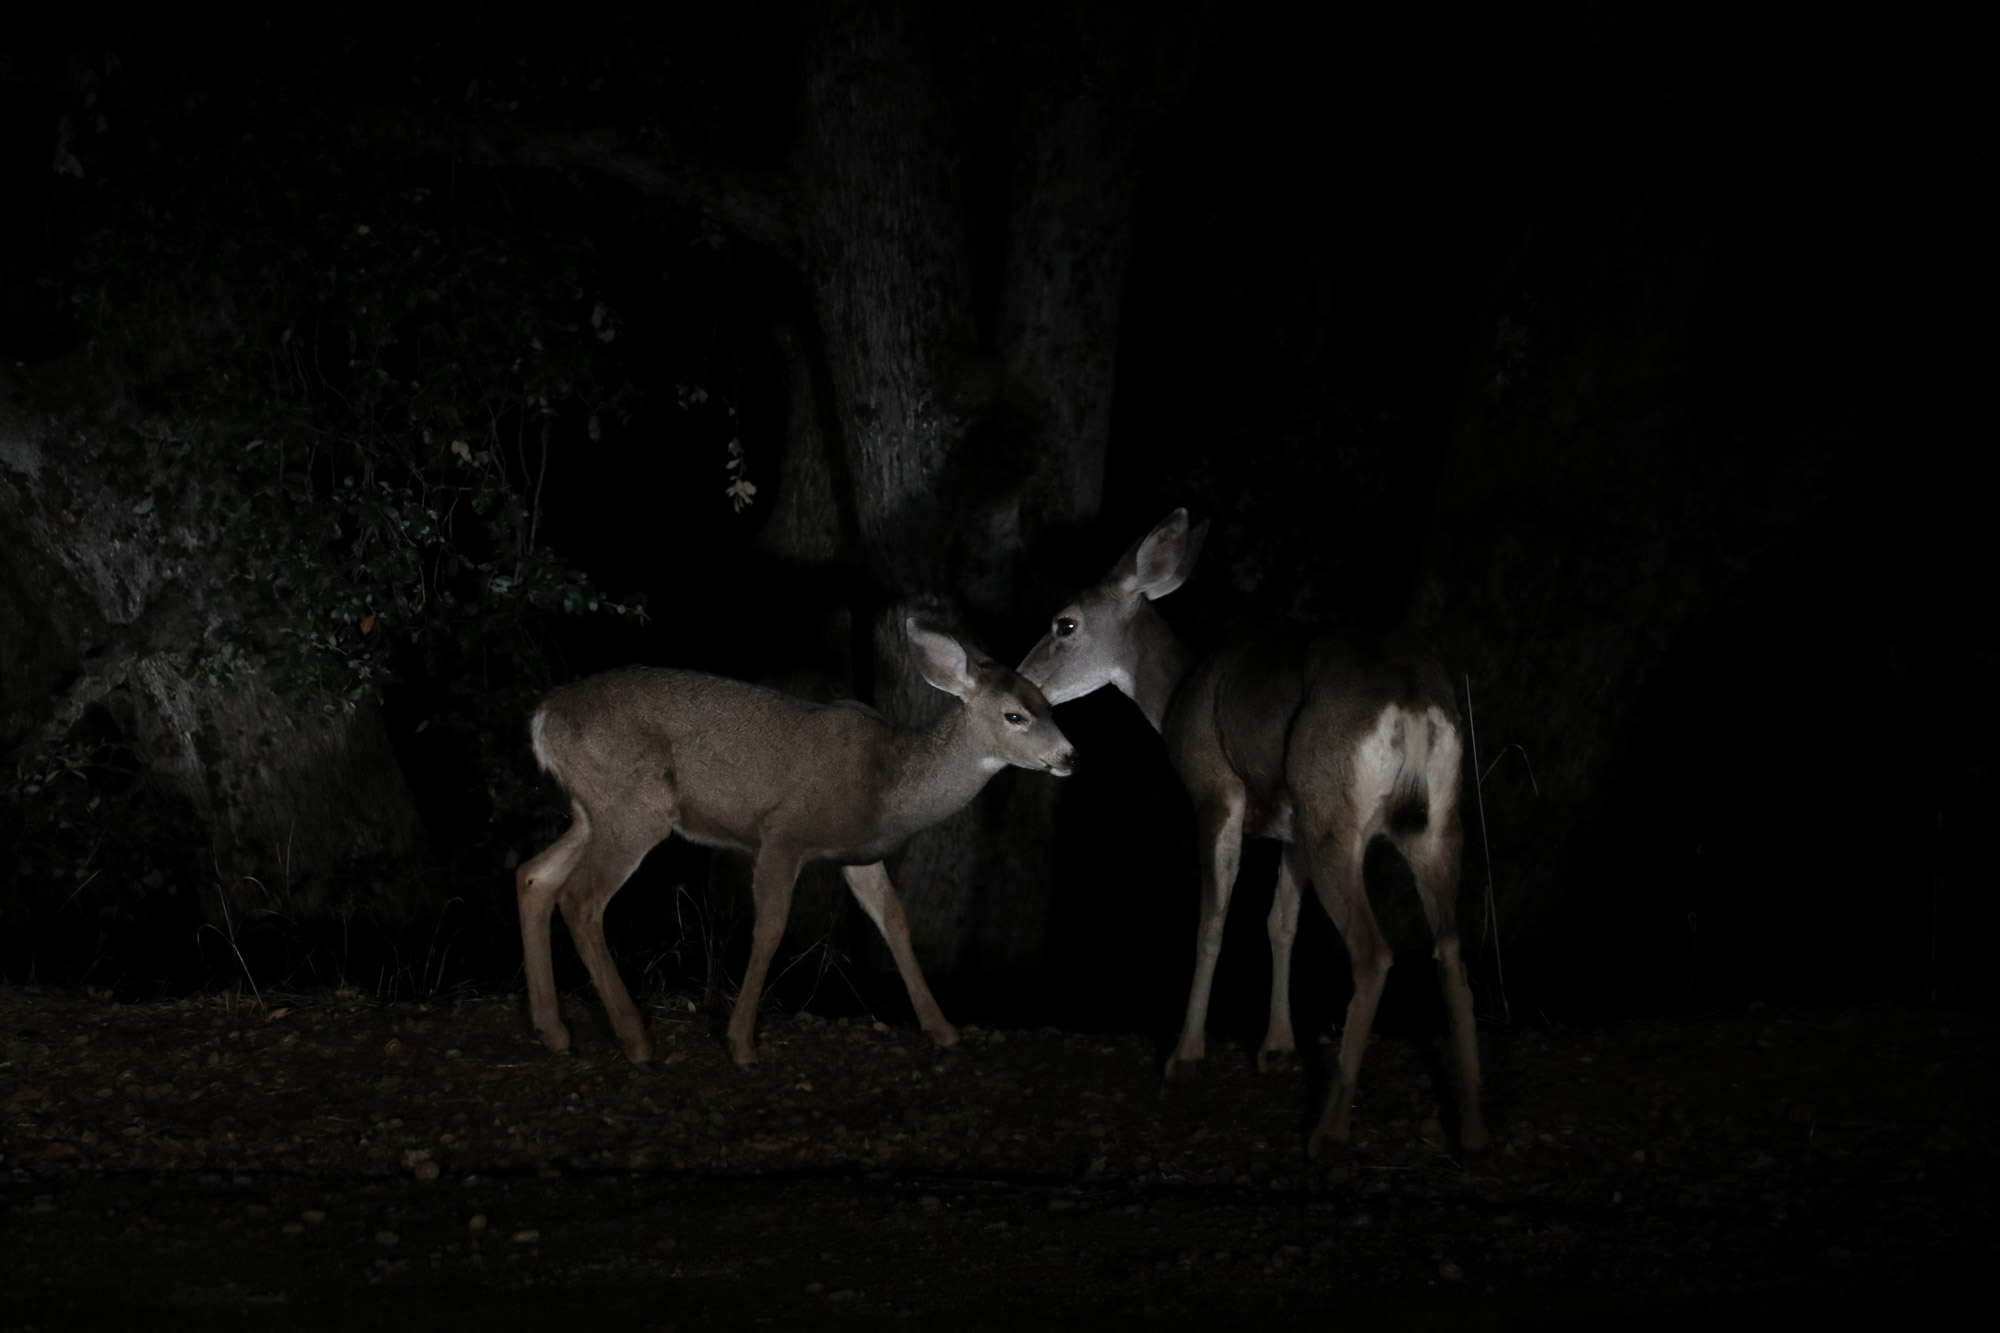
point(363, 369)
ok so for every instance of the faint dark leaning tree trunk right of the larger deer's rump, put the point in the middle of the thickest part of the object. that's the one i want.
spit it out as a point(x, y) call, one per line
point(1593, 509)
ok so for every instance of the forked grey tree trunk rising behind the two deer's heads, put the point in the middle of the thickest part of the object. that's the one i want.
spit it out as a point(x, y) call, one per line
point(929, 445)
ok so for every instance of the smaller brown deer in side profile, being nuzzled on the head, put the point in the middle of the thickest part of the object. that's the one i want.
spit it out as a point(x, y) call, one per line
point(649, 752)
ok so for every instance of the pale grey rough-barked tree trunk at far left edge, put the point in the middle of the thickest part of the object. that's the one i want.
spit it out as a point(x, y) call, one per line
point(115, 573)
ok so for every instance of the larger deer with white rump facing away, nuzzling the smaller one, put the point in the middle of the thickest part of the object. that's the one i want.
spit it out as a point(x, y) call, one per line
point(1319, 744)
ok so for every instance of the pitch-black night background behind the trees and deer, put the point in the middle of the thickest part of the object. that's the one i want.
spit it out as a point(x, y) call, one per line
point(1331, 225)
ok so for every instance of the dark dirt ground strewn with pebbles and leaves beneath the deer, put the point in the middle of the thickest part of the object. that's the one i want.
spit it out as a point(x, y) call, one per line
point(333, 1160)
